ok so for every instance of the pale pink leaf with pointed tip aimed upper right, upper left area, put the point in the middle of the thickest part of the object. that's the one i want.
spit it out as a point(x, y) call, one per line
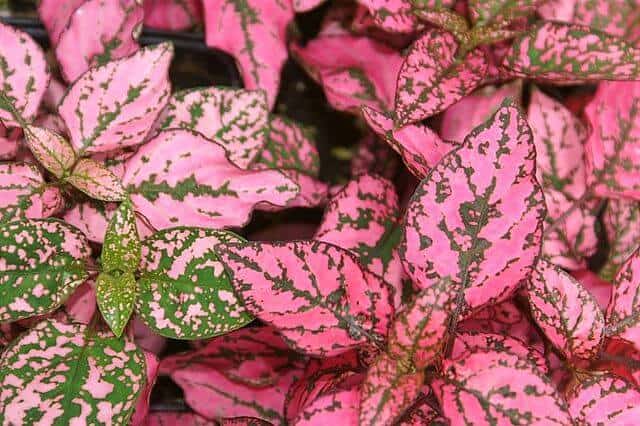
point(114, 105)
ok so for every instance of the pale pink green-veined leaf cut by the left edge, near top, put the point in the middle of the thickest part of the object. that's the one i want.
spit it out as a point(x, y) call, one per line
point(23, 75)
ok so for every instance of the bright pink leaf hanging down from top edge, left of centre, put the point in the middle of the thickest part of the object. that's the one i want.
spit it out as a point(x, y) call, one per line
point(255, 34)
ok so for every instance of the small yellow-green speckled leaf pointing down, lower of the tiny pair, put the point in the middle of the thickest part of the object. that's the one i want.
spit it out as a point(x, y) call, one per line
point(116, 296)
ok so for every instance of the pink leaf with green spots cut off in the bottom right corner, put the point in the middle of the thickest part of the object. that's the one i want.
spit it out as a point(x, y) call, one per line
point(604, 399)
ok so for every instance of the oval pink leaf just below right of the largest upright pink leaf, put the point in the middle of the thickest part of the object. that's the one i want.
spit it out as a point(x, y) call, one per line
point(566, 312)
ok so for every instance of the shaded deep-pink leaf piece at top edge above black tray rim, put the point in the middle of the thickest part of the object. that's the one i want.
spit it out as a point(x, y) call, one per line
point(172, 15)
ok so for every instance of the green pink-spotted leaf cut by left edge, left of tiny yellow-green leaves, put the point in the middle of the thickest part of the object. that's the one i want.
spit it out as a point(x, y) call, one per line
point(41, 263)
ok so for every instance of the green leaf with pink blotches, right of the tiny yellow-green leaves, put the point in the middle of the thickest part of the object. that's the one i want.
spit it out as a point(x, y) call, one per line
point(184, 290)
